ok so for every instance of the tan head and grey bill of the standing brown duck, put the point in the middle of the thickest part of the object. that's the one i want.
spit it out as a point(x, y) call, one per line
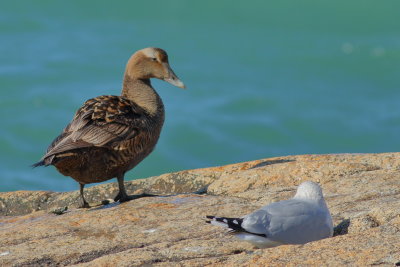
point(149, 63)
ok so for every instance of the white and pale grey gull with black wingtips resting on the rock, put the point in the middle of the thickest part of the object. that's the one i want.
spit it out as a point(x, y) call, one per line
point(299, 220)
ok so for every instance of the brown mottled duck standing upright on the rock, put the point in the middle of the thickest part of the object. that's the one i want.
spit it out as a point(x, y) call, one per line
point(110, 135)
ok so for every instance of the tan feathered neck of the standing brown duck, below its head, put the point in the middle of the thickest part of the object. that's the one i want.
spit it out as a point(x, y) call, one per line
point(142, 93)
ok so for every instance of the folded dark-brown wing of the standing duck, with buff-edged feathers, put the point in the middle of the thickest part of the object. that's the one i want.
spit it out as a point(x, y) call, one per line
point(99, 122)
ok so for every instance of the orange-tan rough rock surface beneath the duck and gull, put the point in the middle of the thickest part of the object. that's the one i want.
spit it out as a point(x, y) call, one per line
point(361, 190)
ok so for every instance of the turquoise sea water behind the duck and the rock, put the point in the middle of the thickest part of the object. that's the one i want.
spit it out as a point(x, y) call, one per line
point(264, 78)
